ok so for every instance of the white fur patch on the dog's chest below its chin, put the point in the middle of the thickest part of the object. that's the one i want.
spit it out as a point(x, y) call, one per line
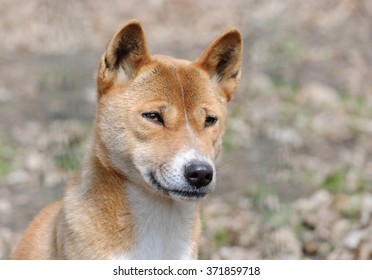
point(162, 230)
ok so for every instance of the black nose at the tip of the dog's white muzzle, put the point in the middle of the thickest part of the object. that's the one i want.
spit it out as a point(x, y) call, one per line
point(199, 174)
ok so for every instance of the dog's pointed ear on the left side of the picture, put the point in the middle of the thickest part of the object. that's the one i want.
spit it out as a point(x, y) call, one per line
point(126, 51)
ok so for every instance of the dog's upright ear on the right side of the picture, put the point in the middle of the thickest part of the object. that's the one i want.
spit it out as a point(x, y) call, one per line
point(222, 61)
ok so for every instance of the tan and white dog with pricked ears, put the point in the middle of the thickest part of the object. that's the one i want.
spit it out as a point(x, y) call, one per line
point(158, 130)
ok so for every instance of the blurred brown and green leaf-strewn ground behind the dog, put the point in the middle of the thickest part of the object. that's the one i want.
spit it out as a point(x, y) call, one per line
point(295, 175)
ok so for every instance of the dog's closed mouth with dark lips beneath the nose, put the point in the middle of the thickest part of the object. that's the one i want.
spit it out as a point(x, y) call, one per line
point(184, 194)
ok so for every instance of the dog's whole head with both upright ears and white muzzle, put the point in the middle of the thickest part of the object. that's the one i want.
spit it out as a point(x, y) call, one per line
point(160, 120)
